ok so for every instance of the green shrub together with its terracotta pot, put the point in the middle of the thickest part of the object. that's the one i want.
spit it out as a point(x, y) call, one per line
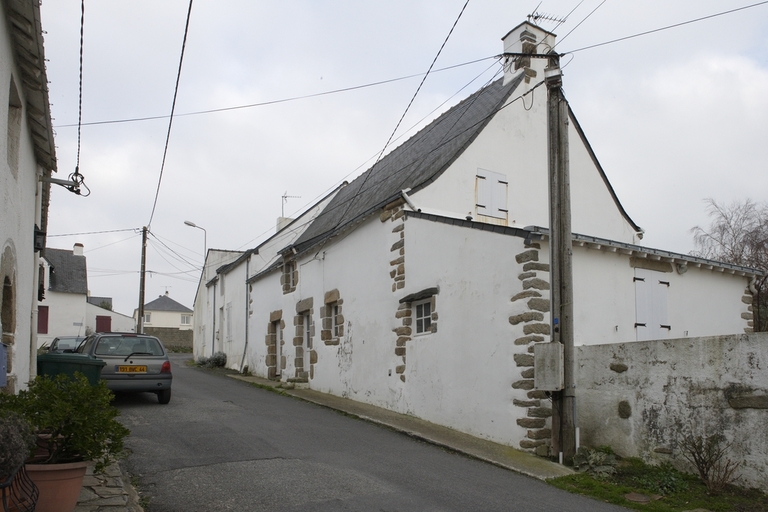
point(75, 423)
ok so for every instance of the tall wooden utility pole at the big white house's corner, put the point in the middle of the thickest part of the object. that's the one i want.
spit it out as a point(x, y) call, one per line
point(563, 402)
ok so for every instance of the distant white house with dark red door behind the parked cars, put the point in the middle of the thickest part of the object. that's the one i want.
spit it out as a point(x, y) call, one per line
point(64, 307)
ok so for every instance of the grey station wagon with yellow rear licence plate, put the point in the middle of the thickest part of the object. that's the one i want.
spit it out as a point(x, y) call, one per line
point(134, 362)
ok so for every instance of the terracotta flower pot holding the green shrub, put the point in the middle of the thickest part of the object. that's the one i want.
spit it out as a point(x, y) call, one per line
point(59, 485)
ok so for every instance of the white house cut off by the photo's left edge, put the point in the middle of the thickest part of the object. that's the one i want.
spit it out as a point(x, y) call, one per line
point(27, 154)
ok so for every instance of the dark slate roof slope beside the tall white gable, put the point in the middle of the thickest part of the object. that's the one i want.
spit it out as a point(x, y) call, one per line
point(414, 164)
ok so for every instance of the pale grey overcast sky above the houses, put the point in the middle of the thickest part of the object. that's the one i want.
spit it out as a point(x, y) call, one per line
point(674, 117)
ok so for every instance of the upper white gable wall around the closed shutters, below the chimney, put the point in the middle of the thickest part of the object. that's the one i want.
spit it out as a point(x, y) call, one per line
point(514, 143)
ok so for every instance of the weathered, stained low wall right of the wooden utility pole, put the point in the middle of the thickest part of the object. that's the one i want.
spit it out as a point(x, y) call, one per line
point(641, 398)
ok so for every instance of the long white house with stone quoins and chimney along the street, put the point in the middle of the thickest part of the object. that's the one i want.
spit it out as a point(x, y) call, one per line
point(423, 285)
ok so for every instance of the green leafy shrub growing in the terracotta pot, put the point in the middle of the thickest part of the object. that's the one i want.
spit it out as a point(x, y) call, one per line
point(74, 421)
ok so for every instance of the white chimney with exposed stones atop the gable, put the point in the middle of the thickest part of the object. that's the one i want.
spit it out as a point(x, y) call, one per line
point(531, 39)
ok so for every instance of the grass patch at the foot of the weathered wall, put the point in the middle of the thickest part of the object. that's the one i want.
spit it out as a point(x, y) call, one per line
point(669, 490)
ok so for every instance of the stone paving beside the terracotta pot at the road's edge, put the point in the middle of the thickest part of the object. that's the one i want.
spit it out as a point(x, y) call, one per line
point(108, 492)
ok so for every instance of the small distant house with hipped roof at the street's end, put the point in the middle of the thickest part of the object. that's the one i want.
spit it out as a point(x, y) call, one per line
point(168, 320)
